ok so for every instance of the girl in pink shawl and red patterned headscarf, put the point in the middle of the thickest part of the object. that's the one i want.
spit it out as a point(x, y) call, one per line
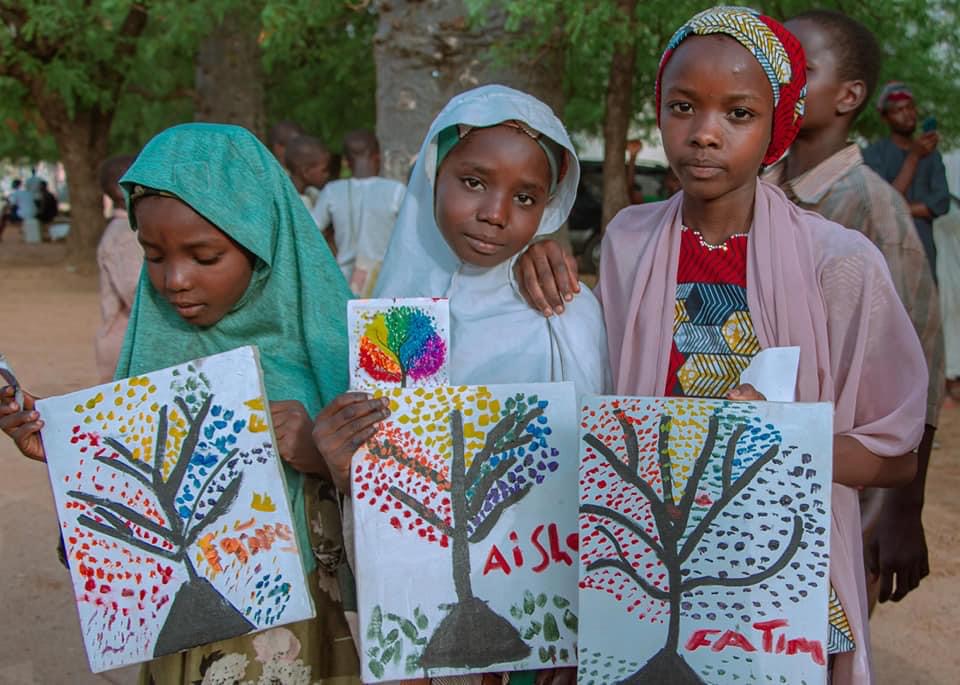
point(692, 288)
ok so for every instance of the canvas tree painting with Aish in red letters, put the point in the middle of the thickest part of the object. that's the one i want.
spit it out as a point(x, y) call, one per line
point(465, 517)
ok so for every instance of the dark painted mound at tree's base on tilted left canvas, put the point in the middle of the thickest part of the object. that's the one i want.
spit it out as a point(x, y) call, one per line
point(199, 615)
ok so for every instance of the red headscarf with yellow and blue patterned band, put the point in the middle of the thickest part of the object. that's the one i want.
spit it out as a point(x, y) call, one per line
point(777, 50)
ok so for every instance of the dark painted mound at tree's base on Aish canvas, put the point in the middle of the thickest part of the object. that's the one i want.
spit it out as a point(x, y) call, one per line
point(472, 635)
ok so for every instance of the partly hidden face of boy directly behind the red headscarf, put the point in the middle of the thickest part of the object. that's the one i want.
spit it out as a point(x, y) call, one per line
point(823, 80)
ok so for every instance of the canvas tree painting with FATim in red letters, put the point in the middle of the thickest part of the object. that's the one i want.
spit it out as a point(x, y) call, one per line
point(704, 536)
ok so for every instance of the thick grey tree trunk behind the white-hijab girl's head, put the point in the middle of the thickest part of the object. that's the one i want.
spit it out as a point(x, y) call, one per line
point(426, 53)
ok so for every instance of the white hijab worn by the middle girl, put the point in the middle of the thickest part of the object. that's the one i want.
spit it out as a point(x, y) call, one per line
point(496, 336)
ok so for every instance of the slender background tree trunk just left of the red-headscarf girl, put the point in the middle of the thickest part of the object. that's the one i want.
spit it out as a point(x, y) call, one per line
point(616, 121)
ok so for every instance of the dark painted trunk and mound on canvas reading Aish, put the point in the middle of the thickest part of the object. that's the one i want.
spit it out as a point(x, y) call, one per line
point(472, 635)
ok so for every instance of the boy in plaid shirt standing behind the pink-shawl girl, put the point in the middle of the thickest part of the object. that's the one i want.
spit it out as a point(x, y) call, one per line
point(825, 173)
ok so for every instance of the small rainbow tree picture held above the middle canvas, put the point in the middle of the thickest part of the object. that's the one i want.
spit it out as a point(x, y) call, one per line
point(398, 342)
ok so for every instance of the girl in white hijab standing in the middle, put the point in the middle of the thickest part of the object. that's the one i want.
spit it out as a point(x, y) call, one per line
point(496, 170)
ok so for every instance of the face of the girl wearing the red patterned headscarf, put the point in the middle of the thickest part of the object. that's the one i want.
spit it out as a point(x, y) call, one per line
point(716, 116)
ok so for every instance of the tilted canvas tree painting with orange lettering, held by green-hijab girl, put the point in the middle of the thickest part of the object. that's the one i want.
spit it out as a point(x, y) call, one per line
point(173, 510)
